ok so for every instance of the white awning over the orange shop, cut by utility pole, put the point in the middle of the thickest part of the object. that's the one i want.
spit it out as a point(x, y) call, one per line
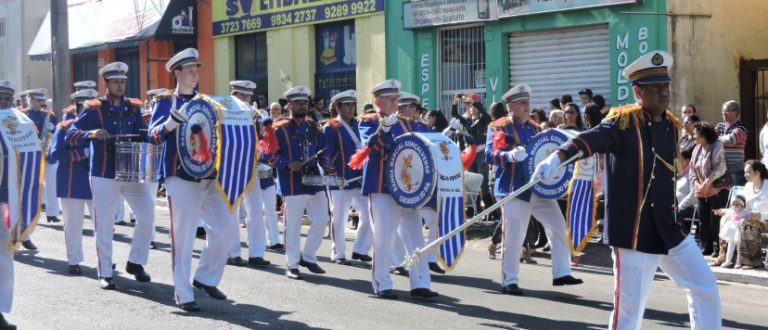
point(99, 24)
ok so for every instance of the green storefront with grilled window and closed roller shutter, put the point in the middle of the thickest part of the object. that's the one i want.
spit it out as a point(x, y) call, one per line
point(505, 50)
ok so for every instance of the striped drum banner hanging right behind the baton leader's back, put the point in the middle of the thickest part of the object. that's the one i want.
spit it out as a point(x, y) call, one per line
point(582, 203)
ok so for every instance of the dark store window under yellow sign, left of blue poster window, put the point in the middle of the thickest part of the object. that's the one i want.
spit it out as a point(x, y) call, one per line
point(251, 62)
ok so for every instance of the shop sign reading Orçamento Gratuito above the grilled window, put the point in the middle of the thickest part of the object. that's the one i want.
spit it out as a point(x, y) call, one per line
point(426, 13)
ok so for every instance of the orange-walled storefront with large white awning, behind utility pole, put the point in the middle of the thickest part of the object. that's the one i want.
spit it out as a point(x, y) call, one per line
point(143, 36)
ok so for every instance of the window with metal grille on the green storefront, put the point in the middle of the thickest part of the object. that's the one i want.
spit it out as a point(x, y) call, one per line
point(462, 63)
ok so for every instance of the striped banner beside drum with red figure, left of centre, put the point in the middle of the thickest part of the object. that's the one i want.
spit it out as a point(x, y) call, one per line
point(237, 156)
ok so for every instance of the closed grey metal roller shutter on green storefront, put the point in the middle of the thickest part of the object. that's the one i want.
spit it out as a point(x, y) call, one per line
point(557, 62)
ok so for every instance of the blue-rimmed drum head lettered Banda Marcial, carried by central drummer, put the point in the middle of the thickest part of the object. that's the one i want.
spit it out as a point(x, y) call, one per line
point(410, 173)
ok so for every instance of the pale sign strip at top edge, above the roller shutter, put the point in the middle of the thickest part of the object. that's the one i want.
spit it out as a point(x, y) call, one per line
point(512, 8)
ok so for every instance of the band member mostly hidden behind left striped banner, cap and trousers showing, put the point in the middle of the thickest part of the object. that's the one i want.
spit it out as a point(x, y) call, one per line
point(252, 201)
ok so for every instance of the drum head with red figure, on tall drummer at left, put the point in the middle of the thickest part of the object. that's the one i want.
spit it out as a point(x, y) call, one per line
point(197, 138)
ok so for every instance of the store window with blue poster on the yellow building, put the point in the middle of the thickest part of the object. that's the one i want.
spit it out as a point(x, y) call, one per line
point(335, 64)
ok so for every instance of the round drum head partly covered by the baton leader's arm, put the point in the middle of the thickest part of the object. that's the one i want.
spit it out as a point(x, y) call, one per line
point(539, 148)
